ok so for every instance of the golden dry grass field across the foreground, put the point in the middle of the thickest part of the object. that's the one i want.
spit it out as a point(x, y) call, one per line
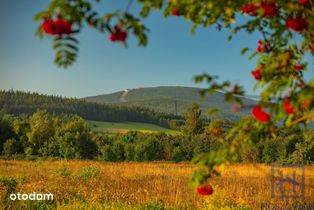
point(160, 185)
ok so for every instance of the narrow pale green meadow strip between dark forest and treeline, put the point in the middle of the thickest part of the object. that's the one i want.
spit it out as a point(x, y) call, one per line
point(123, 127)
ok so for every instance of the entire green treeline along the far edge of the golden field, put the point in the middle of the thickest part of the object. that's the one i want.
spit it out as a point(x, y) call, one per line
point(70, 137)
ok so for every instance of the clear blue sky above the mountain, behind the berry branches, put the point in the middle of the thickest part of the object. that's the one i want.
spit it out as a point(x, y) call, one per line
point(172, 57)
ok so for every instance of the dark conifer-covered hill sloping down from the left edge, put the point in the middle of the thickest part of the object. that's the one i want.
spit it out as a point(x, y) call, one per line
point(17, 102)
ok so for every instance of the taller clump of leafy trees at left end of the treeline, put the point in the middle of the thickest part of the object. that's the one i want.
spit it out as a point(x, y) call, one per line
point(42, 134)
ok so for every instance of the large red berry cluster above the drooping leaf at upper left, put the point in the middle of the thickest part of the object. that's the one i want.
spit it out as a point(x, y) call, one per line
point(56, 27)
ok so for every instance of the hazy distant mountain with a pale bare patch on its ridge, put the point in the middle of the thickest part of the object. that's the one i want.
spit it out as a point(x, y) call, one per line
point(166, 99)
